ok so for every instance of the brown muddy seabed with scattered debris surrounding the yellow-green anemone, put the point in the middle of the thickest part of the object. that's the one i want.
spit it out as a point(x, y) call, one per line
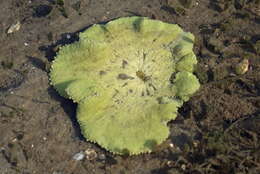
point(217, 131)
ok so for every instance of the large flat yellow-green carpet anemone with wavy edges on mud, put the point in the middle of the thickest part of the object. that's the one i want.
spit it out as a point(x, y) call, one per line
point(129, 77)
